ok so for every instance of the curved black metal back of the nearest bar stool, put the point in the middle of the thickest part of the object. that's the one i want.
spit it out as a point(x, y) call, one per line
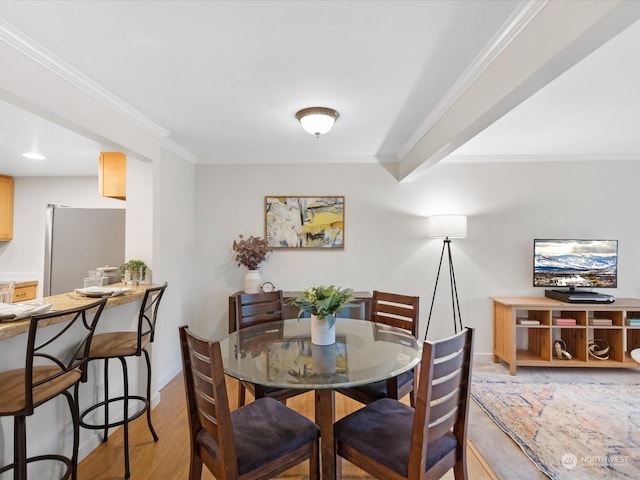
point(57, 354)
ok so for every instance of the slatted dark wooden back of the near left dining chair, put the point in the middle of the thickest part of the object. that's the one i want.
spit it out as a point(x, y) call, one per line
point(207, 401)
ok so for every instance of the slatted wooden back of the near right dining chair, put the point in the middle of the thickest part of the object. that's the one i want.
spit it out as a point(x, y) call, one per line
point(443, 392)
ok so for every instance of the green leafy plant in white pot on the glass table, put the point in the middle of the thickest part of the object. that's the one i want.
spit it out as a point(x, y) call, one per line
point(323, 303)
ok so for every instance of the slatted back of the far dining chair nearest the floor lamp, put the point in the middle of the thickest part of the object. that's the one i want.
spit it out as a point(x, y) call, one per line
point(400, 311)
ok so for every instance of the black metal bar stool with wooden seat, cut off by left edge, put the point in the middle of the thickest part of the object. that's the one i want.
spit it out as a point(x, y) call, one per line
point(56, 360)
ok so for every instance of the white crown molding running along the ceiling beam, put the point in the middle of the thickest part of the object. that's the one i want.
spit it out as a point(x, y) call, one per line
point(518, 20)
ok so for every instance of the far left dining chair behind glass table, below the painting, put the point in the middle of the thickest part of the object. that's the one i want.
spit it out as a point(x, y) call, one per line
point(258, 309)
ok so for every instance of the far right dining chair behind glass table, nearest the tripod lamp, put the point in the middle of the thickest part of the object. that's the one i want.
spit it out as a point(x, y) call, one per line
point(400, 311)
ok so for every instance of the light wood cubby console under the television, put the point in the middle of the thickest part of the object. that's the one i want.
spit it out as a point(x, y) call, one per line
point(532, 345)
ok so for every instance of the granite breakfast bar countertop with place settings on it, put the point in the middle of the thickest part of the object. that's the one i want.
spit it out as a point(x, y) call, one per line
point(65, 301)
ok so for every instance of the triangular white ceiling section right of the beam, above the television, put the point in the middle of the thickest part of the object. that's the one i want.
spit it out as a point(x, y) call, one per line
point(590, 112)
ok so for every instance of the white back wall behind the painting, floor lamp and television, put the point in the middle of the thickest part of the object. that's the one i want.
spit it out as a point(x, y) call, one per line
point(385, 236)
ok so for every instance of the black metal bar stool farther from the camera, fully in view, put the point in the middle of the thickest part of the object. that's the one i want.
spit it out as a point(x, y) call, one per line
point(120, 345)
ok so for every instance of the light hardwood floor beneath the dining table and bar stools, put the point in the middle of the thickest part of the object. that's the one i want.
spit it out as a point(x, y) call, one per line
point(168, 459)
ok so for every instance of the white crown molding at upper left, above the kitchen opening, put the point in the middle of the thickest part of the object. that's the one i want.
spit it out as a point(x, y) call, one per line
point(38, 53)
